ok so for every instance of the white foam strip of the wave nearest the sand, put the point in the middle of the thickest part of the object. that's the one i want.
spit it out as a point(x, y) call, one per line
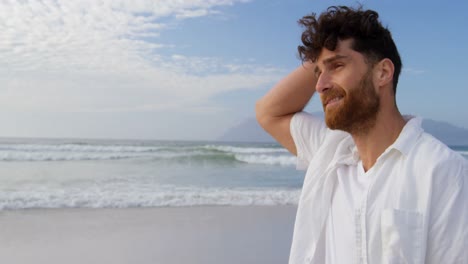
point(98, 197)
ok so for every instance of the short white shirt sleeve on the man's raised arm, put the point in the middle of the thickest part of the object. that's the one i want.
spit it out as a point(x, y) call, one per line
point(308, 132)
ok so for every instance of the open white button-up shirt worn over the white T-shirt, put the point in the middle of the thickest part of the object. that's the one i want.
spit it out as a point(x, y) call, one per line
point(414, 209)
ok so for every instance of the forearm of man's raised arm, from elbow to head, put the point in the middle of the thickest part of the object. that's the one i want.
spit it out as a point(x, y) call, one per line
point(290, 95)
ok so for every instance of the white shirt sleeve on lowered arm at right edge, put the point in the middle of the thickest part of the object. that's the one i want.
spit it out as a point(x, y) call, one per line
point(448, 228)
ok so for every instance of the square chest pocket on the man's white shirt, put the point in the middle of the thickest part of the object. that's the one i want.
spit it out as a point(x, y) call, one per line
point(402, 236)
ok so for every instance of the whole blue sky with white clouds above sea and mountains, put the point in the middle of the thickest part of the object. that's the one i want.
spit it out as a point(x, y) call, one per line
point(192, 69)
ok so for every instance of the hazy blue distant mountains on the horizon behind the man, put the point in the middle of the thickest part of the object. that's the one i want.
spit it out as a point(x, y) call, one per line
point(250, 131)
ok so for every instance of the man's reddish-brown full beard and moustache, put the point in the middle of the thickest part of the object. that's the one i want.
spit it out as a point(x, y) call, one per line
point(357, 111)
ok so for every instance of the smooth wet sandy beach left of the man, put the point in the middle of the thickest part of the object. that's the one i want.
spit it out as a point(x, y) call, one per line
point(244, 234)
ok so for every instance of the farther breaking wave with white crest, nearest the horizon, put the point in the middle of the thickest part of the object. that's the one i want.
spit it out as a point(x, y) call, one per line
point(182, 154)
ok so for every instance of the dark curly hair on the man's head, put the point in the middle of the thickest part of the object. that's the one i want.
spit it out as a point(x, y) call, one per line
point(340, 23)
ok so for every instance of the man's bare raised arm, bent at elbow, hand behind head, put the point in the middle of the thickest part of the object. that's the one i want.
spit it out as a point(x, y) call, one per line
point(275, 110)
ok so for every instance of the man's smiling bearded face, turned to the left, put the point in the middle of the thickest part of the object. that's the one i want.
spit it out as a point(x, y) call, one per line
point(348, 95)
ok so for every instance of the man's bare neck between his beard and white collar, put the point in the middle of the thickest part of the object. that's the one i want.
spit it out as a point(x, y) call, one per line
point(375, 141)
